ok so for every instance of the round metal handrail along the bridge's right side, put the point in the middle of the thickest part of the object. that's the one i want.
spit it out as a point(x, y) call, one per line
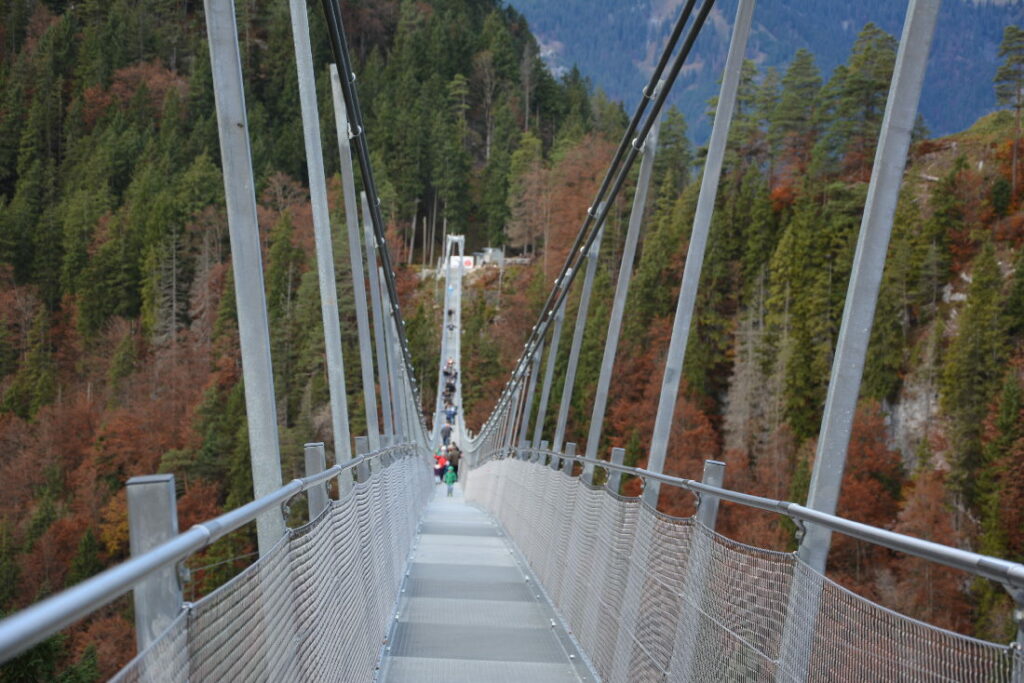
point(1011, 575)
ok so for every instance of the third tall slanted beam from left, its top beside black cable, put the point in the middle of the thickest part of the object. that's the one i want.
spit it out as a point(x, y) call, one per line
point(356, 259)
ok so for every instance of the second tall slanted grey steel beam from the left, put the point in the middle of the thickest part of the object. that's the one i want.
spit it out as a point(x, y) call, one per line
point(322, 232)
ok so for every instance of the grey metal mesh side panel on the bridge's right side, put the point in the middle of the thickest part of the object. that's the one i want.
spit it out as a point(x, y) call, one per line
point(656, 599)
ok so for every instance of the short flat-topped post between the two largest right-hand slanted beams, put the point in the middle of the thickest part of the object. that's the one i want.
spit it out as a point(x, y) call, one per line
point(689, 626)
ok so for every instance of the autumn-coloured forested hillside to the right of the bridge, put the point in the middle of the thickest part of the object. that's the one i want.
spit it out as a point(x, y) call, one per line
point(936, 446)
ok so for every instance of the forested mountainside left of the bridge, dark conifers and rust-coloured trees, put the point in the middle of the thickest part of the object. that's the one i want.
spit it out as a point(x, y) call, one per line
point(118, 340)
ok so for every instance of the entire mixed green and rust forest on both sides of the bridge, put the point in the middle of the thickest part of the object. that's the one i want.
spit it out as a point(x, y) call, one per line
point(119, 345)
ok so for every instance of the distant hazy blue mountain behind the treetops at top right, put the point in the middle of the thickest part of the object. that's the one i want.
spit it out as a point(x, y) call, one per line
point(617, 45)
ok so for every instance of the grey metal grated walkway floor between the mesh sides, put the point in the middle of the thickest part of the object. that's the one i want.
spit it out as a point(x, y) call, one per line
point(470, 611)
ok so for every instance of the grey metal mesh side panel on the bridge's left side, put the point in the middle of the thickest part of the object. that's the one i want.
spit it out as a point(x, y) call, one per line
point(318, 608)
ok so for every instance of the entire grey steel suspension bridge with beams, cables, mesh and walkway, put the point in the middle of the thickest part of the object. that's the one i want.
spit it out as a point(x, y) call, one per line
point(532, 571)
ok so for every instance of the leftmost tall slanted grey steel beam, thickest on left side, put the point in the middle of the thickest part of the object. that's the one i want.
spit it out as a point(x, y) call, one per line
point(254, 332)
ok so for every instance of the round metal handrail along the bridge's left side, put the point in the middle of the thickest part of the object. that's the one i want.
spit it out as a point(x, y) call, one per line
point(35, 624)
